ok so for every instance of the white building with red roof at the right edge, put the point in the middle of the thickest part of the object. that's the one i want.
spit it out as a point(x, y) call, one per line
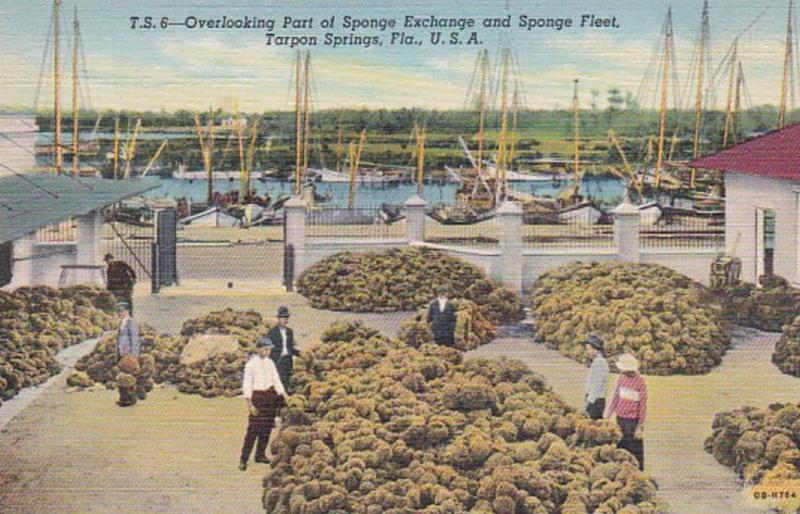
point(762, 202)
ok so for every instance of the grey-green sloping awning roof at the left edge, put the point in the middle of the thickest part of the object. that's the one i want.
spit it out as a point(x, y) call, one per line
point(35, 200)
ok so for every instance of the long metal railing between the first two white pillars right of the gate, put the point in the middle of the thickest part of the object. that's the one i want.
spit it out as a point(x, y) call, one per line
point(356, 223)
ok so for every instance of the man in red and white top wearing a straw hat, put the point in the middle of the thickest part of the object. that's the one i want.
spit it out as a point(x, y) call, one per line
point(629, 406)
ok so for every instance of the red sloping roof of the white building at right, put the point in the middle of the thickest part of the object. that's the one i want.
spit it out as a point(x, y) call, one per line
point(776, 155)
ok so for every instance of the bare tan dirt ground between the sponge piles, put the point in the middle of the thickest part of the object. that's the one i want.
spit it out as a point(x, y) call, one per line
point(76, 452)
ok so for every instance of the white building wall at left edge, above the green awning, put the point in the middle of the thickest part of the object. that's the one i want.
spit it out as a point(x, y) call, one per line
point(19, 152)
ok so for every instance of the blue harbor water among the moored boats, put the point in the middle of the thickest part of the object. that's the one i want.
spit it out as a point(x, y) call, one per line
point(606, 191)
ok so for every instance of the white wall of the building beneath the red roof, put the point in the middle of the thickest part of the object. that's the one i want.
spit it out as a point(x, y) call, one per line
point(744, 194)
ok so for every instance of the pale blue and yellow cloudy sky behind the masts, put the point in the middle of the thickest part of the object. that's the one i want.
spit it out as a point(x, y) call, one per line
point(182, 68)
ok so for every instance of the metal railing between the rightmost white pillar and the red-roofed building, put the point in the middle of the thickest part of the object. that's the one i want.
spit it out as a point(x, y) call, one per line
point(683, 232)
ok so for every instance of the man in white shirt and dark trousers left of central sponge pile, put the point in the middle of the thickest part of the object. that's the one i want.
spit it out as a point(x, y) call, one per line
point(265, 395)
